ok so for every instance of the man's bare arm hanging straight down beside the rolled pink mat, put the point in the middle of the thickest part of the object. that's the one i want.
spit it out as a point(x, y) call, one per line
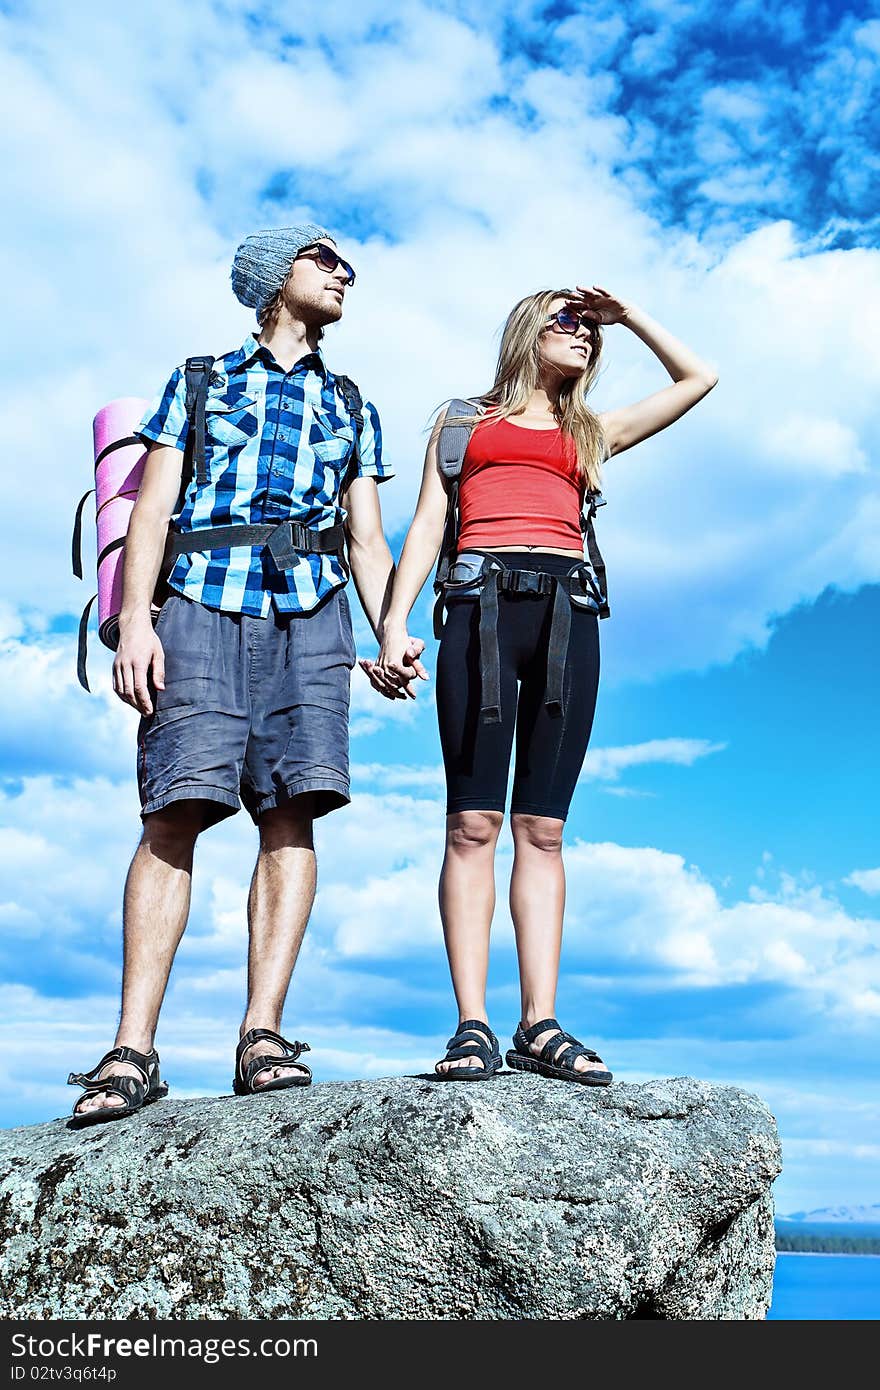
point(140, 653)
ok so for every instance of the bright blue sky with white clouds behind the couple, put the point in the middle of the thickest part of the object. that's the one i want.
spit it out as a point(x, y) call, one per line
point(714, 163)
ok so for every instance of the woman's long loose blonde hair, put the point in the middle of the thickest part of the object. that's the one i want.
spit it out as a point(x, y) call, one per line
point(518, 376)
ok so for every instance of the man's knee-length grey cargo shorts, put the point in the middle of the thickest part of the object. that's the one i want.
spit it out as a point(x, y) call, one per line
point(252, 707)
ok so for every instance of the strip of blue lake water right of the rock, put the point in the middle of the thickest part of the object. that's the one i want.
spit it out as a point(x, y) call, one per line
point(821, 1288)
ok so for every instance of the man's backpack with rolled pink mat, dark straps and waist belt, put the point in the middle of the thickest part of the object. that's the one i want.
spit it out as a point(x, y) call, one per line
point(119, 471)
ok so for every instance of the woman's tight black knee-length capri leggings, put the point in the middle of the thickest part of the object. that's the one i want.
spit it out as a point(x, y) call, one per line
point(550, 750)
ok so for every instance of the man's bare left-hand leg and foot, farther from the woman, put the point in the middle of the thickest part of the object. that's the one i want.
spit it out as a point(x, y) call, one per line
point(155, 913)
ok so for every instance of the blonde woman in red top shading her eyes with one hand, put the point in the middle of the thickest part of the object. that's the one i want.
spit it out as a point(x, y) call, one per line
point(533, 457)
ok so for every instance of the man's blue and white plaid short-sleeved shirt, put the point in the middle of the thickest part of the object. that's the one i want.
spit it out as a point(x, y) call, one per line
point(277, 447)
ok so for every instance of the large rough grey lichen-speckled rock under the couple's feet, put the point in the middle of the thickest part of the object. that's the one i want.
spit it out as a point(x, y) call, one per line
point(400, 1199)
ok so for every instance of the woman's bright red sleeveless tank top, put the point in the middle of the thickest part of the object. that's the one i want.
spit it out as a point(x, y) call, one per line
point(521, 487)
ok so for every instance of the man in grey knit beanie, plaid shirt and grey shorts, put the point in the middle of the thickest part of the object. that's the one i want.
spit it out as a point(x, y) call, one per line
point(244, 686)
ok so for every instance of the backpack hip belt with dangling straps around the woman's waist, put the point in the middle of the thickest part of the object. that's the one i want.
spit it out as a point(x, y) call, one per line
point(484, 578)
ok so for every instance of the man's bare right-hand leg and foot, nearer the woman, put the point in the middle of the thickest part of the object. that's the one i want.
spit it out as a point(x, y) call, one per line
point(279, 907)
